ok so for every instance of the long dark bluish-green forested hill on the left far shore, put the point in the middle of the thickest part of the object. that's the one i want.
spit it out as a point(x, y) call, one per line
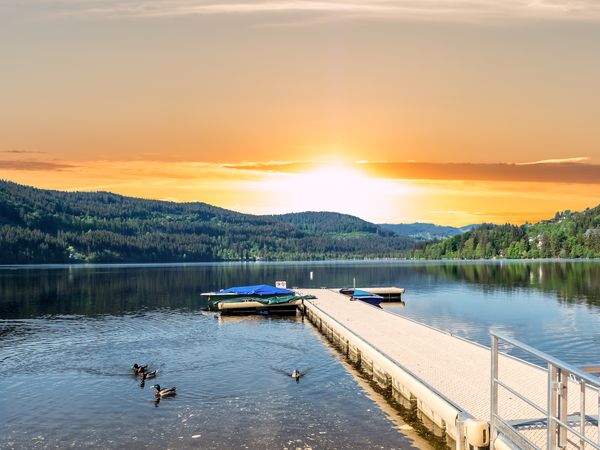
point(43, 226)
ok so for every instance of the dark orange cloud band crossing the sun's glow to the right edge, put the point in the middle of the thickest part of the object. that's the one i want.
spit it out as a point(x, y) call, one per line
point(549, 171)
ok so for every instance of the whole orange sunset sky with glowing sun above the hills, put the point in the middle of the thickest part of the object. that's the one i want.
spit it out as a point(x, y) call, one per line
point(451, 112)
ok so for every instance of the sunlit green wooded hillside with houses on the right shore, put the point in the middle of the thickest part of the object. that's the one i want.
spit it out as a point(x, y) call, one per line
point(567, 235)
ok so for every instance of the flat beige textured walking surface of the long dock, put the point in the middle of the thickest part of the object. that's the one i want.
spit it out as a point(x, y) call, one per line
point(455, 370)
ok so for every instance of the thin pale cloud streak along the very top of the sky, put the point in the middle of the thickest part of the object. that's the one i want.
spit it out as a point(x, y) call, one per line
point(384, 9)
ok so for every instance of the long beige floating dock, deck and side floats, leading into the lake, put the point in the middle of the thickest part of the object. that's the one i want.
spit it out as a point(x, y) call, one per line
point(449, 379)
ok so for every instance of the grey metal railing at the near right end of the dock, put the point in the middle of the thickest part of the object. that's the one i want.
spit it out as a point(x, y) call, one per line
point(563, 423)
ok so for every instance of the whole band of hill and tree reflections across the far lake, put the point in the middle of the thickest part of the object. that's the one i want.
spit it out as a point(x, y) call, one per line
point(101, 290)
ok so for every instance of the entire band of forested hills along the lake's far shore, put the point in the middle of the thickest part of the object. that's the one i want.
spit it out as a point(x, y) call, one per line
point(44, 226)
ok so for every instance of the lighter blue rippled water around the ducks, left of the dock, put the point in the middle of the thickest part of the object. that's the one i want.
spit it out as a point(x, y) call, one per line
point(230, 375)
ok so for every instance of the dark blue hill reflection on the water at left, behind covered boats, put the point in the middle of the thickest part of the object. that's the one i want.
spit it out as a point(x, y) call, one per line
point(116, 290)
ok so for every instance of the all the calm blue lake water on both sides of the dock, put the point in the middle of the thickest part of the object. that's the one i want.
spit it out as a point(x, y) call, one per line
point(68, 336)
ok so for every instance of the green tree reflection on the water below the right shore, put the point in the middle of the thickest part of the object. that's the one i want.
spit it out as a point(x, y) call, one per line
point(571, 281)
